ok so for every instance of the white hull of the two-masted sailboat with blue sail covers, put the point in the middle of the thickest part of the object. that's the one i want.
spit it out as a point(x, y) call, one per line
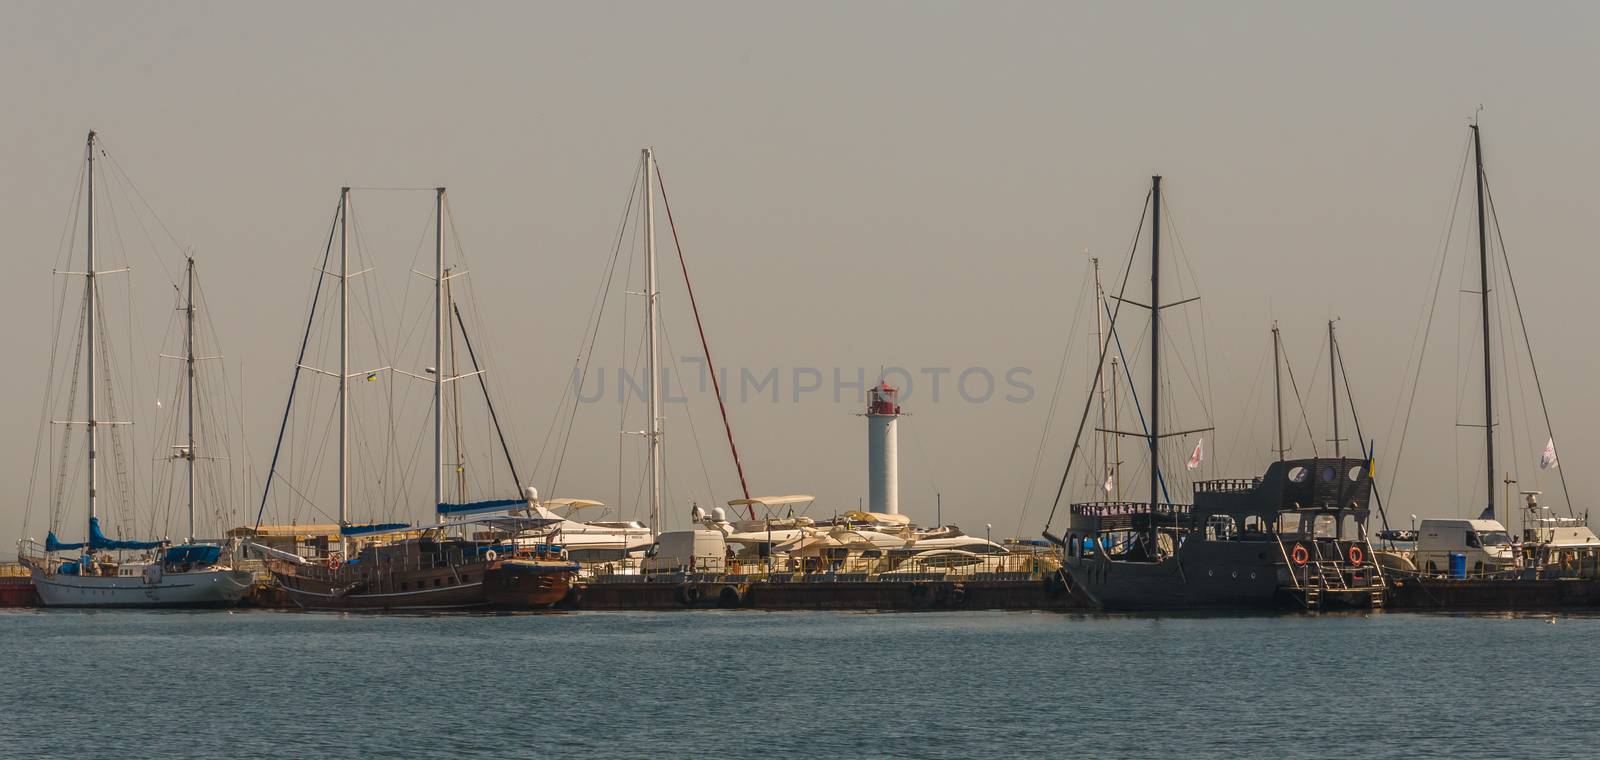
point(206, 588)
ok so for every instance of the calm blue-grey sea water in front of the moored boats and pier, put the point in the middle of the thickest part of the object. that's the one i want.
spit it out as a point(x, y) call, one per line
point(742, 684)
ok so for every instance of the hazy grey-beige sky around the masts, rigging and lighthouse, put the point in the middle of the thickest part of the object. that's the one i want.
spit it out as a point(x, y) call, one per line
point(857, 186)
